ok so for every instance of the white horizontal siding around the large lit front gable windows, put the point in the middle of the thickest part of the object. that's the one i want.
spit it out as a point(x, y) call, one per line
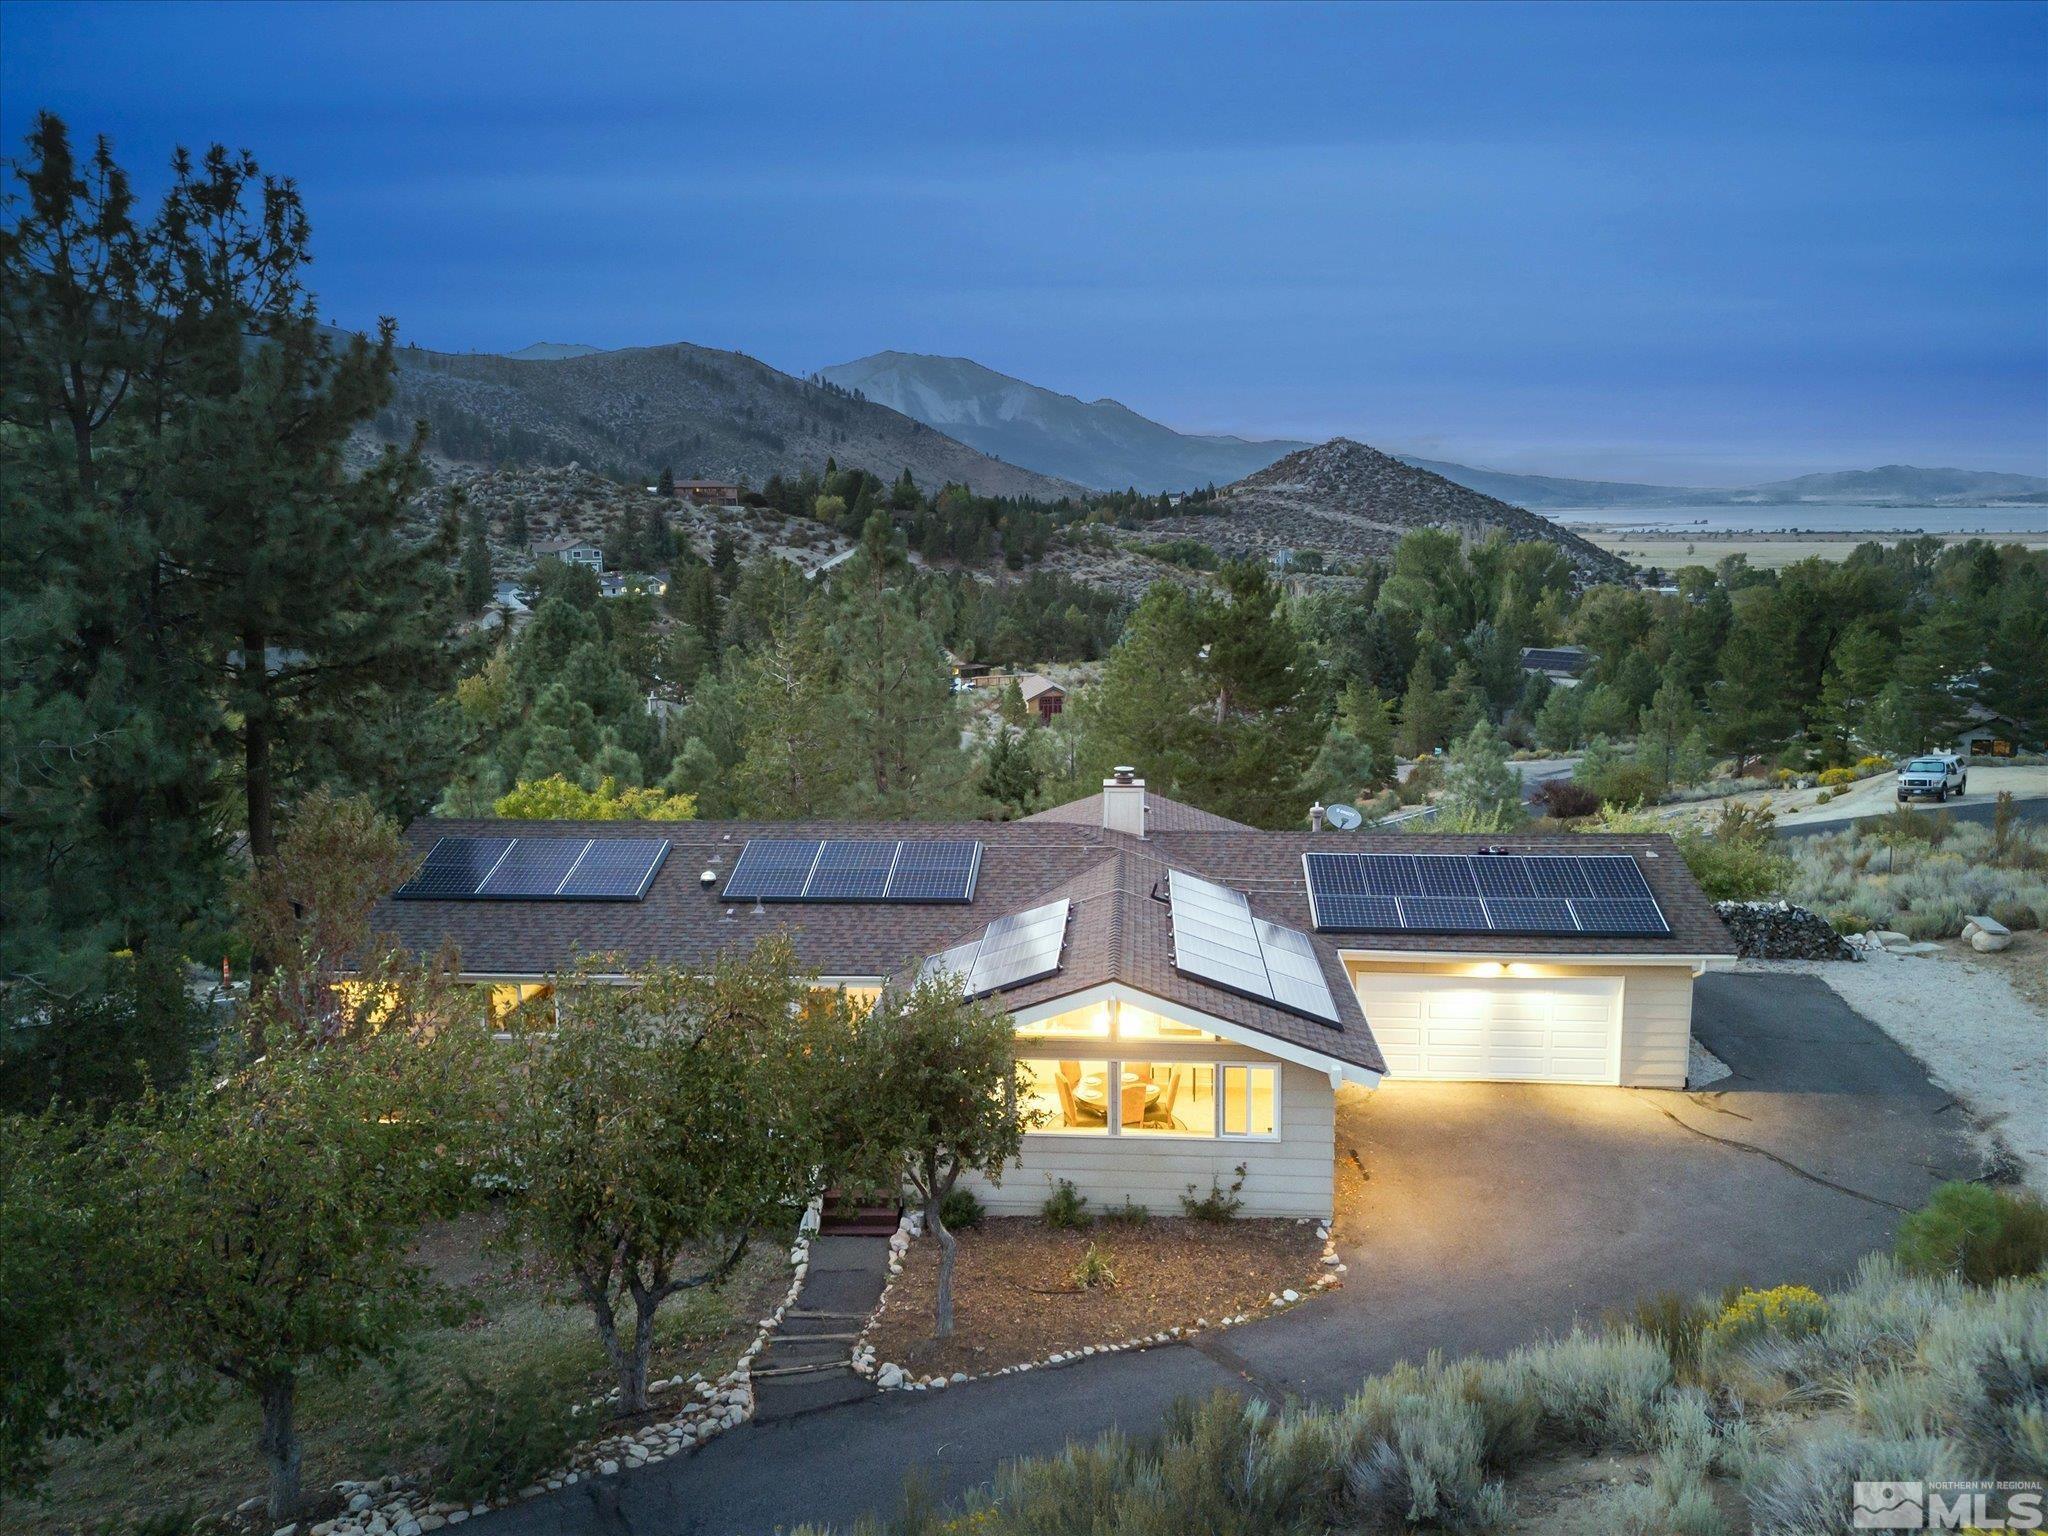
point(1293, 1177)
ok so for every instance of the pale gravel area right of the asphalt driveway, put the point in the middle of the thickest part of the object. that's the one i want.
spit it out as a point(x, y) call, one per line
point(1977, 1021)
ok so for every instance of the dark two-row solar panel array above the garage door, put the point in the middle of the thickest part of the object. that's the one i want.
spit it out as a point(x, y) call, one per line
point(1482, 894)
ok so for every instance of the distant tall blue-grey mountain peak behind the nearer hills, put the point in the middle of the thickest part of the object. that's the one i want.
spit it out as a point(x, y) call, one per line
point(1095, 441)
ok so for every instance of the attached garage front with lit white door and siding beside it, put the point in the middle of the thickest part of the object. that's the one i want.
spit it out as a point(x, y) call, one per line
point(1529, 1023)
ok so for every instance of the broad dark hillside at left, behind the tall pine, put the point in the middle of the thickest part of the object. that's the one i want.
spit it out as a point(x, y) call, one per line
point(701, 413)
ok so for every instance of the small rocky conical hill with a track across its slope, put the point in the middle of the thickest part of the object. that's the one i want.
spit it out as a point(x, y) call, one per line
point(1351, 501)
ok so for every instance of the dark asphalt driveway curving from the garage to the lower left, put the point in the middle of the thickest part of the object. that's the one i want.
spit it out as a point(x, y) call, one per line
point(1474, 1218)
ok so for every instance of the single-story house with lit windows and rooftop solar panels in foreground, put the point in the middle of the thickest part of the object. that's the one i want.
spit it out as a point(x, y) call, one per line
point(1189, 994)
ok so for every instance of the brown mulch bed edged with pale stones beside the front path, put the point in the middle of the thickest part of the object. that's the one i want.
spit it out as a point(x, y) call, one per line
point(1017, 1299)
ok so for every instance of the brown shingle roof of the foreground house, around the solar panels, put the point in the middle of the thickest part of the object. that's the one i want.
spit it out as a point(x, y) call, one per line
point(1119, 931)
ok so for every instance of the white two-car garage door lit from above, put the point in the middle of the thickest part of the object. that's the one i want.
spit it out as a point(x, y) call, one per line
point(1553, 1031)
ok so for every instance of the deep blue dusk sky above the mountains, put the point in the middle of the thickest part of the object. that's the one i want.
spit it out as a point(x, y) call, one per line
point(1689, 245)
